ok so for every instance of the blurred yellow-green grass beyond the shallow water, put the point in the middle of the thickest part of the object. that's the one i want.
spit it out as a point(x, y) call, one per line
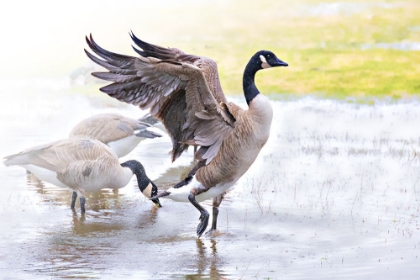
point(335, 49)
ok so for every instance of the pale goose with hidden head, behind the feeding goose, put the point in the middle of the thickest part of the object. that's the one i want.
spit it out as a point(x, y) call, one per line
point(120, 133)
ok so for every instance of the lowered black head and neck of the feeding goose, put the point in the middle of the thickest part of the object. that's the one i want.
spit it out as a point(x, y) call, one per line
point(146, 186)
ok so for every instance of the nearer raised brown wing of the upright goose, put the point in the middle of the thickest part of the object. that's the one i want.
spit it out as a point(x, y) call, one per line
point(167, 82)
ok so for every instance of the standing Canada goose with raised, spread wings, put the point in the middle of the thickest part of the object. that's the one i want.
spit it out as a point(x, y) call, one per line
point(184, 92)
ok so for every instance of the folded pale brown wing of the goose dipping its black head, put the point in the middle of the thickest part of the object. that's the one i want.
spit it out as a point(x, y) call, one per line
point(57, 155)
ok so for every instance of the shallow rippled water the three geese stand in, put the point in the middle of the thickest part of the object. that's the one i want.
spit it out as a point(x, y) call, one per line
point(334, 194)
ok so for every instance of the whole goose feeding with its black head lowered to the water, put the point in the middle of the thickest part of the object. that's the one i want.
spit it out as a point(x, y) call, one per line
point(82, 165)
